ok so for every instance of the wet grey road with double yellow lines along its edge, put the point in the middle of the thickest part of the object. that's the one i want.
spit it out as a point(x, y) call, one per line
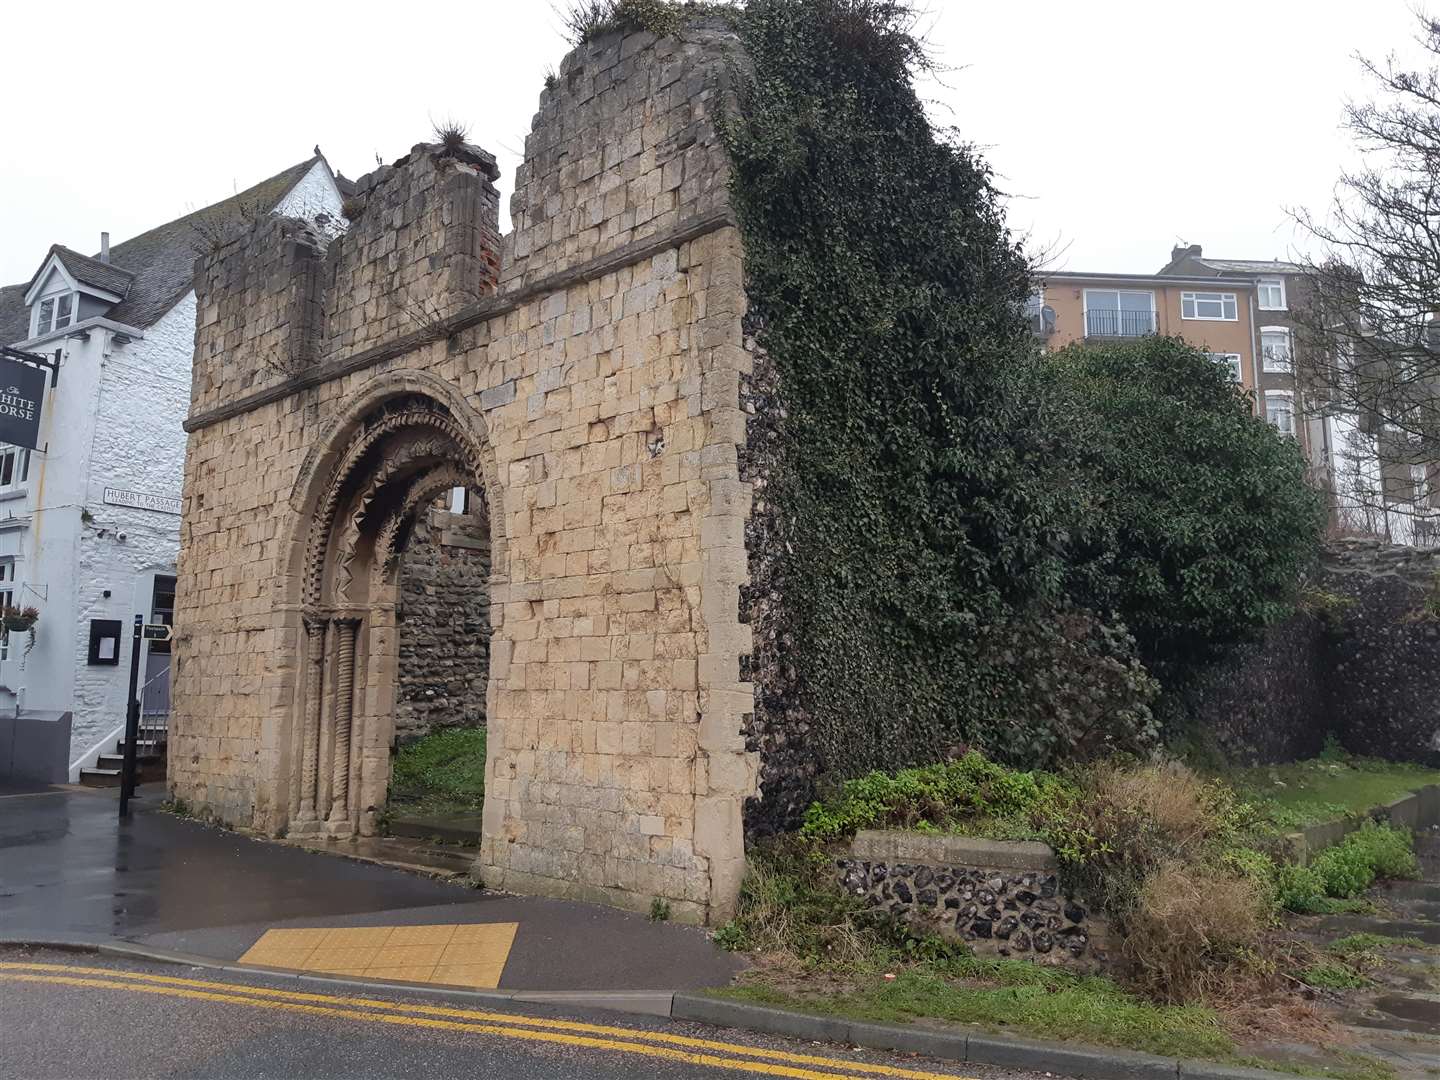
point(126, 1020)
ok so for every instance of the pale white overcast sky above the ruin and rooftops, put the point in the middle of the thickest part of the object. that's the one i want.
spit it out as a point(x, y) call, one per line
point(1118, 127)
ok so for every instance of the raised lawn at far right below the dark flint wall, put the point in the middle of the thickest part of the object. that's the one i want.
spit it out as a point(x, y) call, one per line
point(1321, 790)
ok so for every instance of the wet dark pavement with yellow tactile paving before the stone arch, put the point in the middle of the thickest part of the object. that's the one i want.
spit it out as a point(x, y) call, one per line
point(70, 869)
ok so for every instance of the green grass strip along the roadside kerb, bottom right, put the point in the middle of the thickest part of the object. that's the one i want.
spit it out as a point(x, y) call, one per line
point(1039, 1003)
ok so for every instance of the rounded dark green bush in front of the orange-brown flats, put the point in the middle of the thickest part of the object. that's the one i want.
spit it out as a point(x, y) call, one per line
point(1200, 523)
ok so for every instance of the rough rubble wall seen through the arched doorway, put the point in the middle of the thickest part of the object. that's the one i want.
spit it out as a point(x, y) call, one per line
point(444, 626)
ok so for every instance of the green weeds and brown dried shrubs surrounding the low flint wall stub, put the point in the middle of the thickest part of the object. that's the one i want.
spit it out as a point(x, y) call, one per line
point(1182, 866)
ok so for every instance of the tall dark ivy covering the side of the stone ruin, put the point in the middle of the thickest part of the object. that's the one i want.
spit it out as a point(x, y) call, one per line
point(917, 518)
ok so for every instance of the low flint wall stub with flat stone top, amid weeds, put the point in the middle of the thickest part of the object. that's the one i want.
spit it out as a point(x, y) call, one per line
point(1002, 899)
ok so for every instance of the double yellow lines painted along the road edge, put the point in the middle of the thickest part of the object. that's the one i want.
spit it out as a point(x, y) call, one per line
point(654, 1045)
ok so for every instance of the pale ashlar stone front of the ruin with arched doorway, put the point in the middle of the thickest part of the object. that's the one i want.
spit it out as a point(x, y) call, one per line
point(581, 378)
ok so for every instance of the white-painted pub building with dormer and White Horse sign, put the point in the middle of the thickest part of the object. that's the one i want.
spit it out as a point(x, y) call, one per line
point(90, 522)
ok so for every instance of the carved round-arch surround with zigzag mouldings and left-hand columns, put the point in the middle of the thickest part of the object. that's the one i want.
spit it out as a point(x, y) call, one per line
point(401, 450)
